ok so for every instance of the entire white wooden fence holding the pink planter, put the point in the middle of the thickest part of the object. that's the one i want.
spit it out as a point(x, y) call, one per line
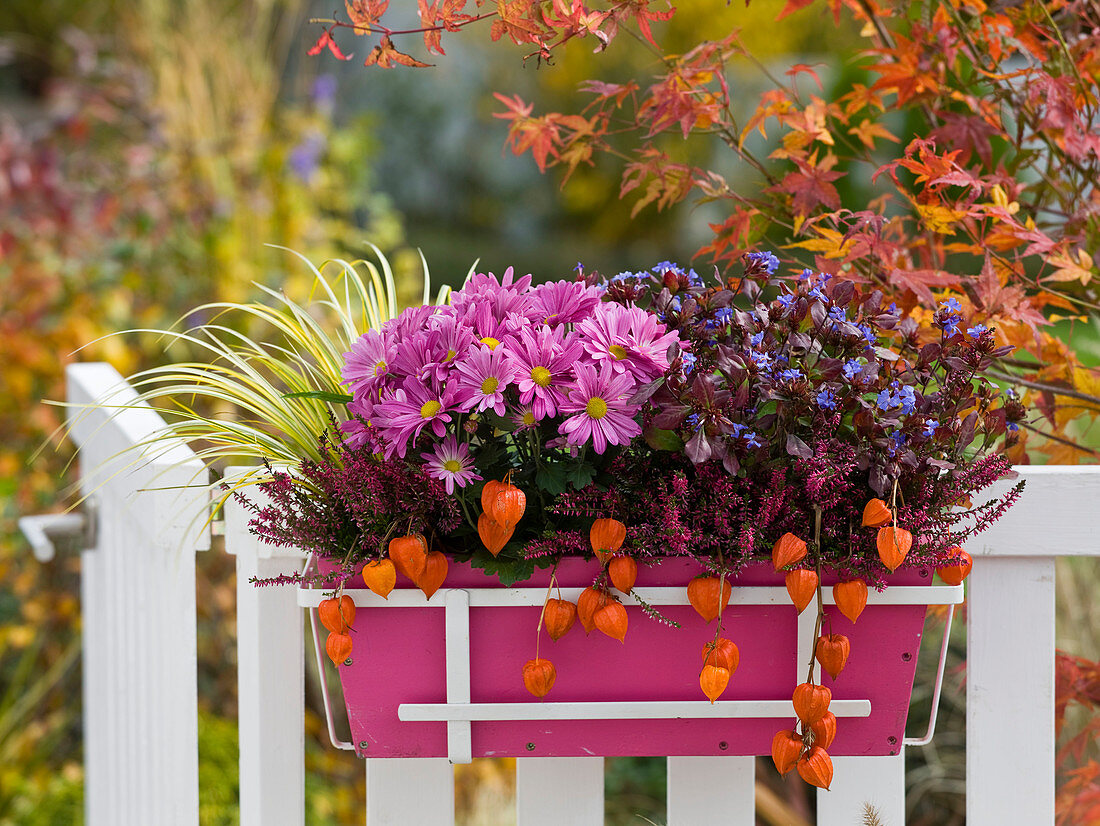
point(138, 590)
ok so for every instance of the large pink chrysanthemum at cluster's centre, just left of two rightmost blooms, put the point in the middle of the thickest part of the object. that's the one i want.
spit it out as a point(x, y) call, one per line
point(544, 362)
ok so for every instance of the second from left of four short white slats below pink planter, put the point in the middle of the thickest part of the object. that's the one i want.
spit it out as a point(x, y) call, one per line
point(559, 791)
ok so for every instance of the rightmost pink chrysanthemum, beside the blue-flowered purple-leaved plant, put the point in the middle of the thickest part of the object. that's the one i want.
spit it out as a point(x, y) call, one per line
point(629, 339)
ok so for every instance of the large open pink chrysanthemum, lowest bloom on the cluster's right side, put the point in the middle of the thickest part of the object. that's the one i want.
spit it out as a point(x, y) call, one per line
point(598, 409)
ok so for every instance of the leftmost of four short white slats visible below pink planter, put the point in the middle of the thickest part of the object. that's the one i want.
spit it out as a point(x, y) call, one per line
point(410, 791)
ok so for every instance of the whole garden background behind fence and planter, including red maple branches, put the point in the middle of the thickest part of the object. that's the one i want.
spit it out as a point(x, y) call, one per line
point(150, 151)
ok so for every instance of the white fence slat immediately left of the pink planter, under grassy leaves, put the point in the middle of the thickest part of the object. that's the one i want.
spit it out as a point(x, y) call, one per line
point(271, 677)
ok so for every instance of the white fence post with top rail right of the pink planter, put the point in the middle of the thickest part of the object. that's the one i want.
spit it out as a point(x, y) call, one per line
point(1010, 648)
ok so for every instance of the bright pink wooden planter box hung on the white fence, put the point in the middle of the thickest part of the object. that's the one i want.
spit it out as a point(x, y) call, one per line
point(401, 659)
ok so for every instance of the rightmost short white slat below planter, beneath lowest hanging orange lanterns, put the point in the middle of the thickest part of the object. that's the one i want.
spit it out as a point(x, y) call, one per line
point(863, 781)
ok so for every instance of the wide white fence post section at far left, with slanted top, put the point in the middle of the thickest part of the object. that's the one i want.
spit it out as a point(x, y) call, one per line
point(138, 601)
